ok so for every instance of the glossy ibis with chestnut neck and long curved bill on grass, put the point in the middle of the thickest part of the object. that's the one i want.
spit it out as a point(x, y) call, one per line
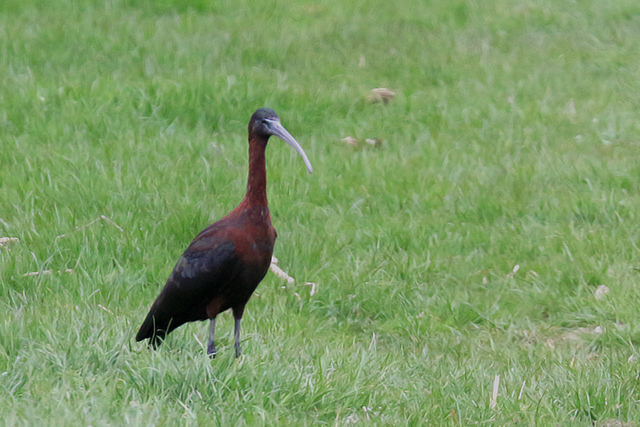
point(224, 264)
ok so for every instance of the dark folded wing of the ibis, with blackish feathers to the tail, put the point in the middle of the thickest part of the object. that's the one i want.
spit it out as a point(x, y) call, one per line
point(203, 270)
